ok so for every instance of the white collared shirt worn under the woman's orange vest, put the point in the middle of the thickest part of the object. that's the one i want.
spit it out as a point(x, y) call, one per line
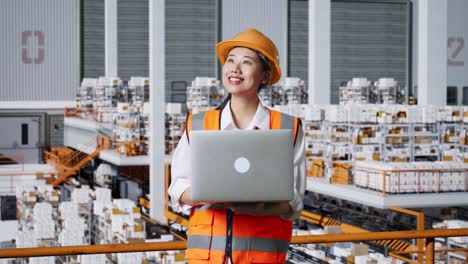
point(181, 169)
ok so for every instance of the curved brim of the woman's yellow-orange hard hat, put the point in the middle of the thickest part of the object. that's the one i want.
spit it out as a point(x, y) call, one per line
point(224, 47)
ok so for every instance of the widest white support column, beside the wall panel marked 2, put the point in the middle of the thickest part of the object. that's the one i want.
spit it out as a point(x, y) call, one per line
point(432, 52)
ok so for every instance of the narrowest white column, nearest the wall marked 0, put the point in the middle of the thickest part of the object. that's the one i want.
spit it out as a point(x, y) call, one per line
point(110, 38)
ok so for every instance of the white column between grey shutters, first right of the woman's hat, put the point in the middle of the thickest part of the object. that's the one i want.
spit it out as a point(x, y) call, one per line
point(319, 51)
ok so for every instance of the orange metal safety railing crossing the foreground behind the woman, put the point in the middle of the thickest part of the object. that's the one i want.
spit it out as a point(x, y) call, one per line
point(428, 235)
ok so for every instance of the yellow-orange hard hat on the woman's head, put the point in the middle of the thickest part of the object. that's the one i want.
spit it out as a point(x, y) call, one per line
point(253, 39)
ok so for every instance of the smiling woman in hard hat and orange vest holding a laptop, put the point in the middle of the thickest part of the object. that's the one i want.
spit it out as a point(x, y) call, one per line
point(240, 233)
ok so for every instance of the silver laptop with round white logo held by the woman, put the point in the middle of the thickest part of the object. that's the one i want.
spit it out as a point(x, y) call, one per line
point(242, 165)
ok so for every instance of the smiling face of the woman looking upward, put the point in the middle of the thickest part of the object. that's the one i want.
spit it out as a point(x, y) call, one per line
point(243, 72)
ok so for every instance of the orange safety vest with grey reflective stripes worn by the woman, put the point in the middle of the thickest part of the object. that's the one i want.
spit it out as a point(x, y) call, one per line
point(251, 239)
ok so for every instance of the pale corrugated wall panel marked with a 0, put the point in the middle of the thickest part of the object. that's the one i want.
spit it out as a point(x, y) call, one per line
point(39, 50)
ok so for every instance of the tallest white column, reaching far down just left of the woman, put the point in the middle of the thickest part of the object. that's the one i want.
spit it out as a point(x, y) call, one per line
point(158, 108)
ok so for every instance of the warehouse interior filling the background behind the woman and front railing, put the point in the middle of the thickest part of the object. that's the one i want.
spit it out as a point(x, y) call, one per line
point(96, 93)
